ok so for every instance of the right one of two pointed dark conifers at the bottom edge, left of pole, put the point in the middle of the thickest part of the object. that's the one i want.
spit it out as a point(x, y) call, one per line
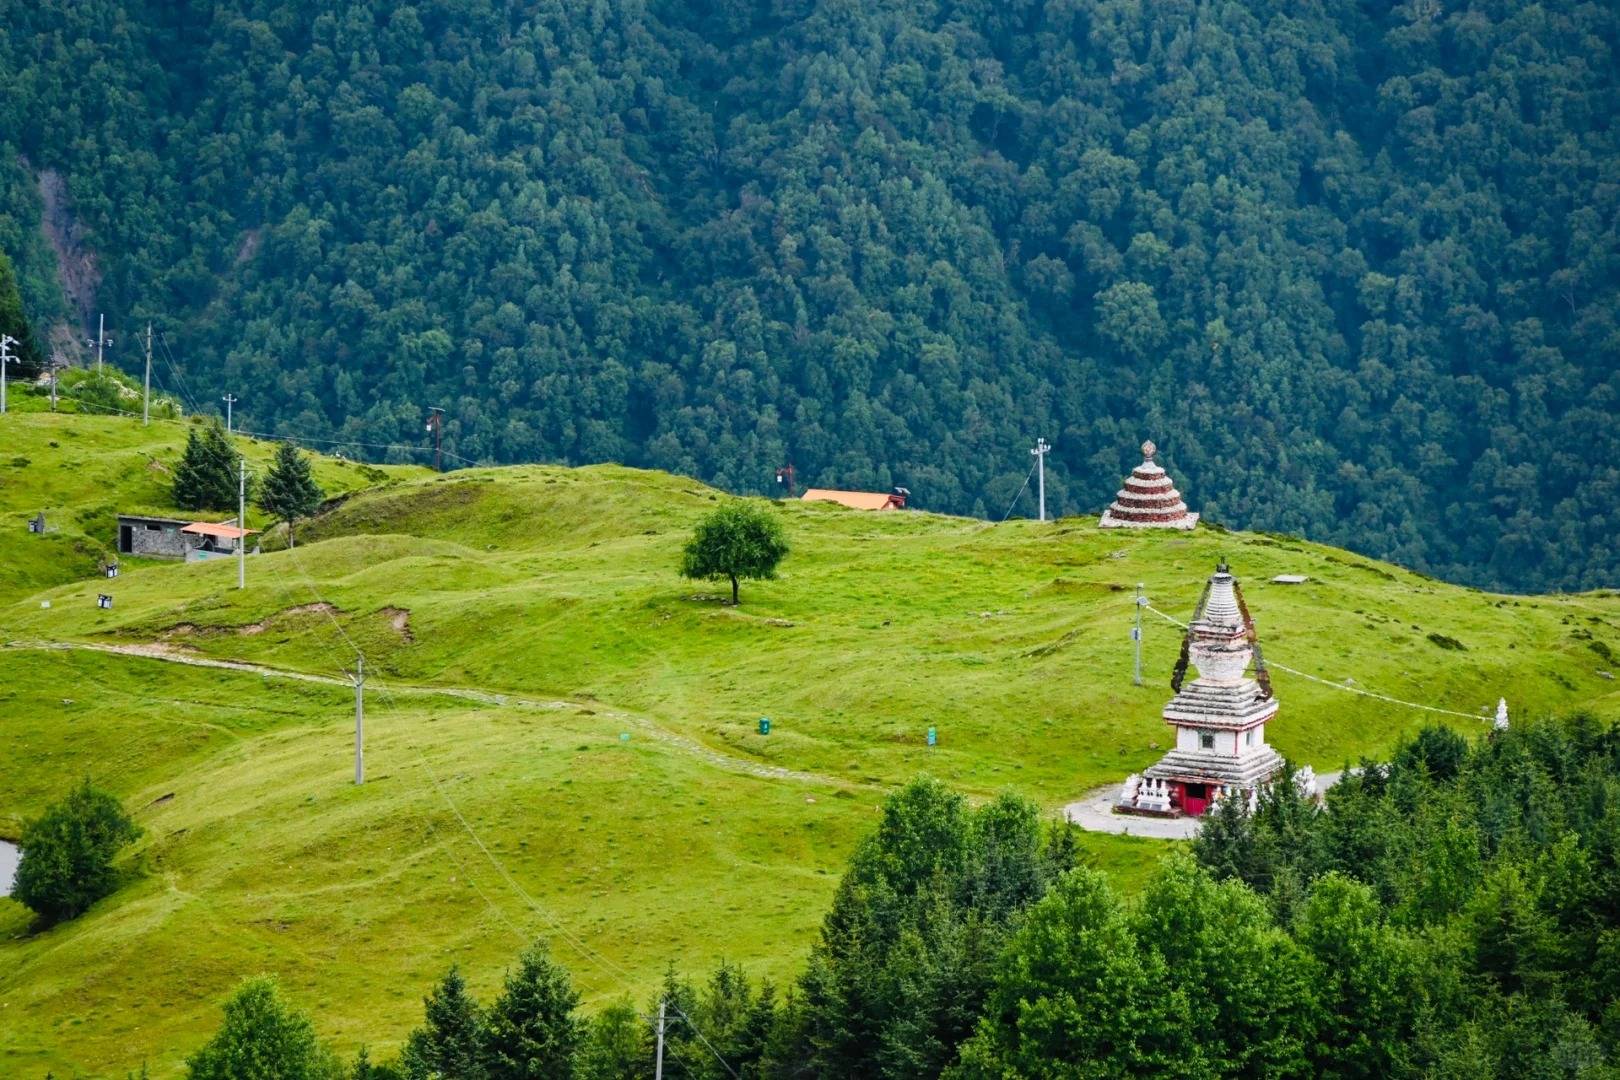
point(532, 1032)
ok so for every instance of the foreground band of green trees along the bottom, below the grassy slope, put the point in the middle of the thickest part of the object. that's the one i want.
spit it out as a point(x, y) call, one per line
point(1451, 914)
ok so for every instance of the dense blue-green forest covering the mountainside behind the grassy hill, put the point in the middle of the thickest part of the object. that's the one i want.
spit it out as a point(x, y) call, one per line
point(1357, 268)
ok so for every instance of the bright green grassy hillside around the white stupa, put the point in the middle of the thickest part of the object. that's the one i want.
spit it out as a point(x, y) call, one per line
point(553, 595)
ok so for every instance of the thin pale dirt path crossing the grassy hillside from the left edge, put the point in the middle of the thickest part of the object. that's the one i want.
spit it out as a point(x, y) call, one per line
point(683, 744)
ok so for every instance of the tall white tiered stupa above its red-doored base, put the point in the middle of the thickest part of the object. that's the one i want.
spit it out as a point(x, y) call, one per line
point(1221, 702)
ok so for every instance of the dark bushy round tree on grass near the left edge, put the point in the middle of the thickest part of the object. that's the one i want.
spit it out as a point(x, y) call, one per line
point(69, 854)
